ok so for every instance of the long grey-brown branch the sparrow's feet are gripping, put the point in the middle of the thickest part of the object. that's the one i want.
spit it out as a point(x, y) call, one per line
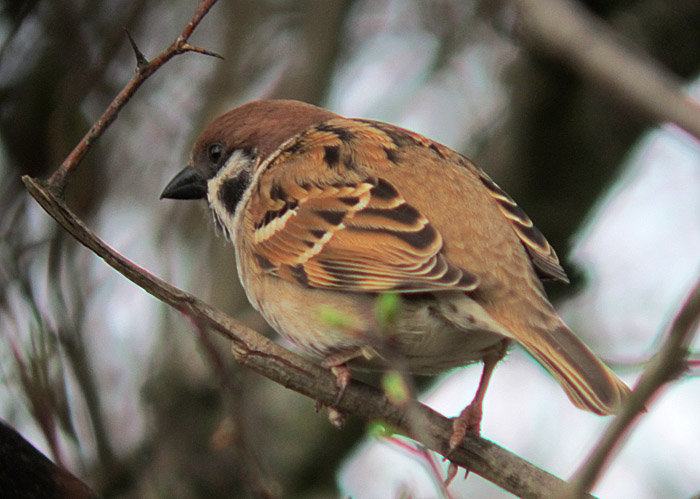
point(253, 350)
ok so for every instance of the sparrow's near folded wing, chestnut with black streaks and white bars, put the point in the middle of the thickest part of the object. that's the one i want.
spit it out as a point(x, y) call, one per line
point(319, 221)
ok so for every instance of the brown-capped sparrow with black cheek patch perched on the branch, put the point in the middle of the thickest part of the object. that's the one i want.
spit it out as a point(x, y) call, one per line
point(327, 214)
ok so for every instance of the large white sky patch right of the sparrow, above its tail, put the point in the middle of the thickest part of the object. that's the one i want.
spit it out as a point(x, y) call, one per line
point(641, 247)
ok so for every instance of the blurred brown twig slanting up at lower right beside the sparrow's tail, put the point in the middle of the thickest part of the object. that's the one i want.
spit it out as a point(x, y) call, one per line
point(668, 364)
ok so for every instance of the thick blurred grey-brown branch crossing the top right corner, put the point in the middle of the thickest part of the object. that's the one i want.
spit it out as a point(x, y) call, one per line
point(566, 31)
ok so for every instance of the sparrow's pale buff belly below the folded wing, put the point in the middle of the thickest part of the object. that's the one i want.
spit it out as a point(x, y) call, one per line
point(429, 335)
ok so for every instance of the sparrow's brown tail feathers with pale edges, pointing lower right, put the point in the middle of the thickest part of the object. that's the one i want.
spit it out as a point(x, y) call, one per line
point(589, 383)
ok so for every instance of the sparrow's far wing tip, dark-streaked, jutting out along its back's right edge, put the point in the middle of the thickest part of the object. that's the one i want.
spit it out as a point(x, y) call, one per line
point(541, 253)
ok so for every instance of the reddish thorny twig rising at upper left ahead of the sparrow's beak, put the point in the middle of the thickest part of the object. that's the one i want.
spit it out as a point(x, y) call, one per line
point(144, 69)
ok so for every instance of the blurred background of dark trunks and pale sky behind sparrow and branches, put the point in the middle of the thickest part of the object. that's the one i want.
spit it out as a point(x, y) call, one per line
point(129, 396)
